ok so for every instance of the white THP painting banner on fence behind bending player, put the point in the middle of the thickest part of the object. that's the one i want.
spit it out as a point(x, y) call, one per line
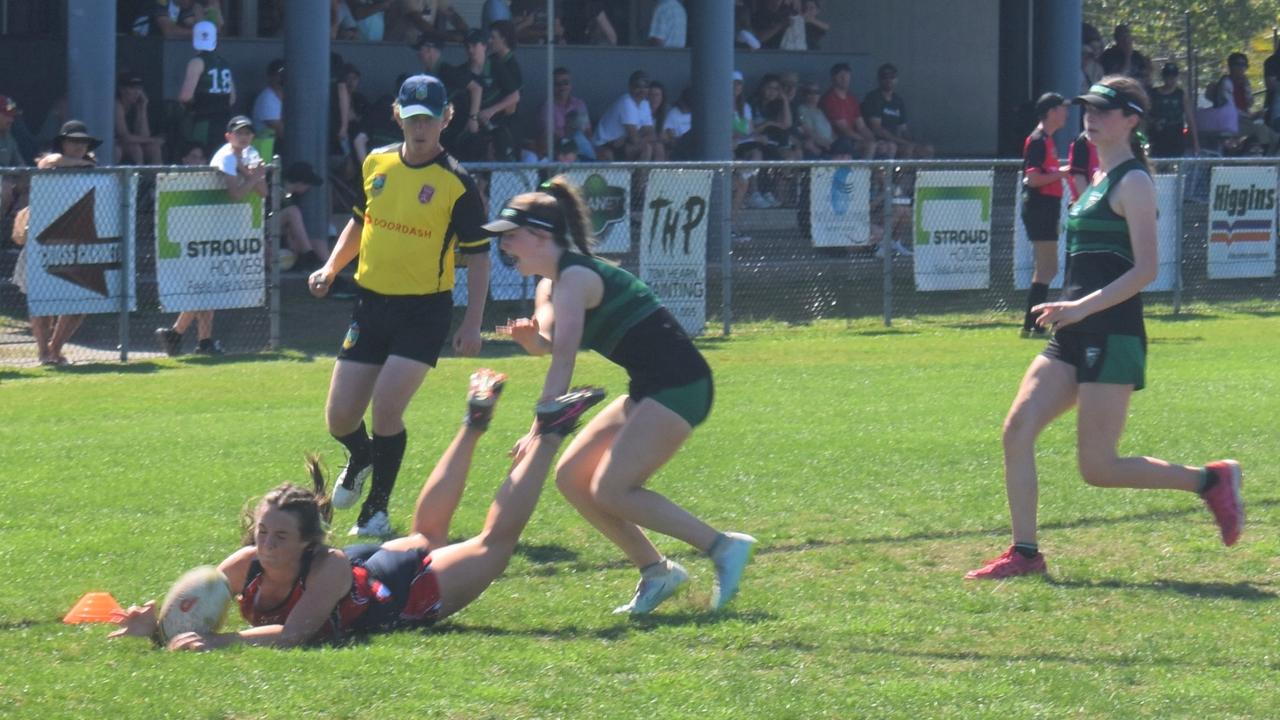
point(674, 243)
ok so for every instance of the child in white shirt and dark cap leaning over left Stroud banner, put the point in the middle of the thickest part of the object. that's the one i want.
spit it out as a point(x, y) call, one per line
point(244, 172)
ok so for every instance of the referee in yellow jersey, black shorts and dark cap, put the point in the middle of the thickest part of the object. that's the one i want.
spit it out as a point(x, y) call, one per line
point(419, 207)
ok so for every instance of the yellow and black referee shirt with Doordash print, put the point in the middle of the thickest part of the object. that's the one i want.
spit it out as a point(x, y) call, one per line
point(413, 216)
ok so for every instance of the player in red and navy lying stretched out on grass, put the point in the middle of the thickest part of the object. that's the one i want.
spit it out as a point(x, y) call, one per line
point(294, 589)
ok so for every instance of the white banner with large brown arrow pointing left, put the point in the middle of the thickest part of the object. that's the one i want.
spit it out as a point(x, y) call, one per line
point(77, 244)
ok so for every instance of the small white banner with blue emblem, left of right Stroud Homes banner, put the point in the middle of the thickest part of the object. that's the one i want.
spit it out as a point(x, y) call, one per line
point(840, 207)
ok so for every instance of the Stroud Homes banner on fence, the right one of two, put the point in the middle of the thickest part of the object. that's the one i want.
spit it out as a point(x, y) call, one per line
point(953, 230)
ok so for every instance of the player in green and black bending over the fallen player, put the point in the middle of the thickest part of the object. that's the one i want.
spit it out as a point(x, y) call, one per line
point(583, 302)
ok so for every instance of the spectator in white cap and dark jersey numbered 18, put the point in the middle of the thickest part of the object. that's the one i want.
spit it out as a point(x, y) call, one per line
point(208, 89)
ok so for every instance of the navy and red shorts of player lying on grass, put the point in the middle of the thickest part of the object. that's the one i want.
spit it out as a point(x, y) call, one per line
point(413, 594)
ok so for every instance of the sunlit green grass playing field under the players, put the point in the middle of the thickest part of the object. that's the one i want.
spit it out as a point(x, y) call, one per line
point(867, 461)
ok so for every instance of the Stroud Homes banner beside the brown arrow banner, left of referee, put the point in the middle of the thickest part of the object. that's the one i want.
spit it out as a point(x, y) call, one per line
point(211, 249)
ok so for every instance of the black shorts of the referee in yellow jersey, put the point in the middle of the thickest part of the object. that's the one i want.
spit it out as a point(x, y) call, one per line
point(409, 326)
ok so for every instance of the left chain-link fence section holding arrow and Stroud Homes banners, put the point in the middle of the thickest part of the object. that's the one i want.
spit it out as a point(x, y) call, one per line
point(117, 263)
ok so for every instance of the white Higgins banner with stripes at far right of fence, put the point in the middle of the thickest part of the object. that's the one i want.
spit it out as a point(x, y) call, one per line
point(1242, 224)
